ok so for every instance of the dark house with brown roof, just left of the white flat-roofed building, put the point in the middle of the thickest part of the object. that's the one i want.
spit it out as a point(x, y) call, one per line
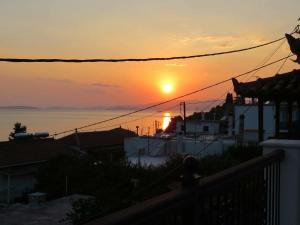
point(103, 145)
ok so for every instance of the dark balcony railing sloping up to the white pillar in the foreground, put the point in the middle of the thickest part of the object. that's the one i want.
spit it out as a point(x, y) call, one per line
point(245, 194)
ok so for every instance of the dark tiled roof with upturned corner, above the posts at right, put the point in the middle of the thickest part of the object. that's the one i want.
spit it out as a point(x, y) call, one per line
point(282, 86)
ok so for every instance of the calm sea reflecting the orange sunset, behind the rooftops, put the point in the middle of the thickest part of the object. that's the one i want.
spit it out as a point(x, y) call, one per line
point(57, 120)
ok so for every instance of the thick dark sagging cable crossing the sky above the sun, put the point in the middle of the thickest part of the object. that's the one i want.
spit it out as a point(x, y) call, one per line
point(28, 60)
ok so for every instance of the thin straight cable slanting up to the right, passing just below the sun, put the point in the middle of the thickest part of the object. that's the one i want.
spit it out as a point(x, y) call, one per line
point(173, 99)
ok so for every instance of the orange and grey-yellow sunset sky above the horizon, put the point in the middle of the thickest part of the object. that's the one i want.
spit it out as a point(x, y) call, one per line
point(133, 28)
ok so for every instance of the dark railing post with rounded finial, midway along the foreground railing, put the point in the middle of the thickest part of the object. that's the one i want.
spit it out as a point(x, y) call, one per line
point(189, 180)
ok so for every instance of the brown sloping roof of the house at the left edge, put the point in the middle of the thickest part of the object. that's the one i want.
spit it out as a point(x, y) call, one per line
point(29, 151)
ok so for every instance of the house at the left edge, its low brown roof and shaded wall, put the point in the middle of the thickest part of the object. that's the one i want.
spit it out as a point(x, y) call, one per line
point(19, 161)
